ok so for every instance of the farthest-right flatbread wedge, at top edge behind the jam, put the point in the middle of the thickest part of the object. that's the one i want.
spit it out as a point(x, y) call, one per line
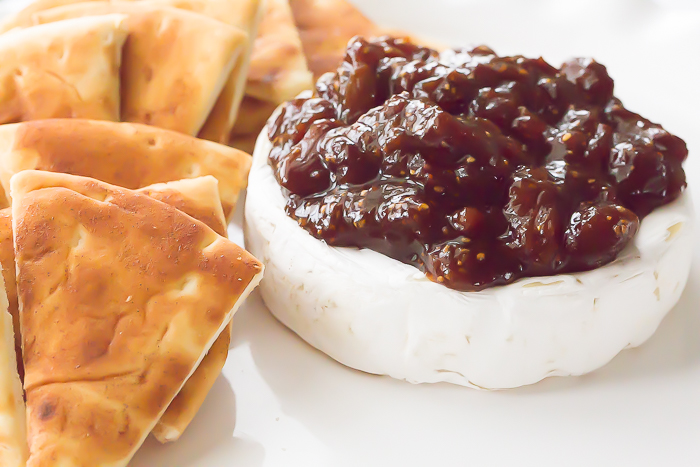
point(325, 27)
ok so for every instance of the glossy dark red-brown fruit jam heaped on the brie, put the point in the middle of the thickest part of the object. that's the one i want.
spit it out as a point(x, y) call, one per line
point(475, 168)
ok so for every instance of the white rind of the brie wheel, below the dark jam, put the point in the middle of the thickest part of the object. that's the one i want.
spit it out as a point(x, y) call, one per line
point(378, 315)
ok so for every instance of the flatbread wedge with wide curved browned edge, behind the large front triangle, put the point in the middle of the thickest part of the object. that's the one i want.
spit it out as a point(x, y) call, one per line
point(125, 154)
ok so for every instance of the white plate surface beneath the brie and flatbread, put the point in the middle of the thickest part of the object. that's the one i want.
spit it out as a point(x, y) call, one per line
point(280, 403)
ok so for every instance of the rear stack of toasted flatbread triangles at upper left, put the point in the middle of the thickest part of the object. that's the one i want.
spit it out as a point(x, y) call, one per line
point(176, 64)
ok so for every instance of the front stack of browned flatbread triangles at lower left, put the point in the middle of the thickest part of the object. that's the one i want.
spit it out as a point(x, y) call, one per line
point(121, 298)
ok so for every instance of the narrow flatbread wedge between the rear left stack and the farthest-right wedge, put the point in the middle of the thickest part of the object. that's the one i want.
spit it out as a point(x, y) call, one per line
point(278, 70)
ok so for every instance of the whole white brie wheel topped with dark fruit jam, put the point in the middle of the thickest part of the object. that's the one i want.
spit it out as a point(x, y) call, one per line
point(378, 205)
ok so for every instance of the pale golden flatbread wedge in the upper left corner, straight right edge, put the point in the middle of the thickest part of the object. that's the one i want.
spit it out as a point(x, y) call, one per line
point(67, 69)
